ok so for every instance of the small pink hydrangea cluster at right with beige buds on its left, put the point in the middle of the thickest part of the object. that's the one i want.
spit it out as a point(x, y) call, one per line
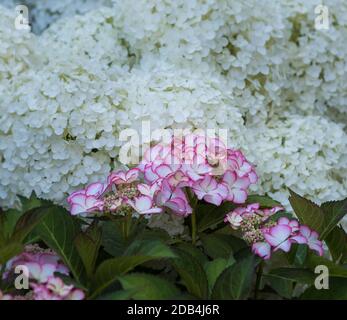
point(267, 236)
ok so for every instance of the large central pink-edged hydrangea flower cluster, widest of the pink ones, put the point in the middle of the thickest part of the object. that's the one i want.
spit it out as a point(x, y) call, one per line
point(201, 164)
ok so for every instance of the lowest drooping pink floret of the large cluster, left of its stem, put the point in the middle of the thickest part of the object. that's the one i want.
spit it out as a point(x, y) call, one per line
point(174, 199)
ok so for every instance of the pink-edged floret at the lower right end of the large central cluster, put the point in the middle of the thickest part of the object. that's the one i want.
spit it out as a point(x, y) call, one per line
point(237, 187)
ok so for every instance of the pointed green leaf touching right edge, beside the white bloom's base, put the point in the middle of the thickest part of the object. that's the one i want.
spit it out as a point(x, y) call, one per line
point(334, 211)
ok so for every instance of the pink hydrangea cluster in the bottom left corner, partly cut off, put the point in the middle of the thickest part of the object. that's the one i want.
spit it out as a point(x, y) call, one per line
point(42, 266)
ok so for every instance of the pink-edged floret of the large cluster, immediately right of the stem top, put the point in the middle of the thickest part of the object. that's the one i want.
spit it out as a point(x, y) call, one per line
point(210, 190)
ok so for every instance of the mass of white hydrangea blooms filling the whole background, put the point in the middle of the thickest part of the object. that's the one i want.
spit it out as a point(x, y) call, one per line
point(92, 68)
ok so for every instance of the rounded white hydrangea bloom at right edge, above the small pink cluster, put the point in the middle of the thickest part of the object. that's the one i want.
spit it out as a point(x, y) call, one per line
point(307, 154)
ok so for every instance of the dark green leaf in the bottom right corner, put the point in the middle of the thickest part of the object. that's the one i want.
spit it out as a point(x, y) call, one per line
point(337, 291)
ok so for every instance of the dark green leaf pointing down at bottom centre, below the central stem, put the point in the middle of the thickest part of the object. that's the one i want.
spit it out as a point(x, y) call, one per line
point(192, 274)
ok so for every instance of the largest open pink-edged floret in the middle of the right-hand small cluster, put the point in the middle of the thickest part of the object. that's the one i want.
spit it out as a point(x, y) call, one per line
point(279, 237)
